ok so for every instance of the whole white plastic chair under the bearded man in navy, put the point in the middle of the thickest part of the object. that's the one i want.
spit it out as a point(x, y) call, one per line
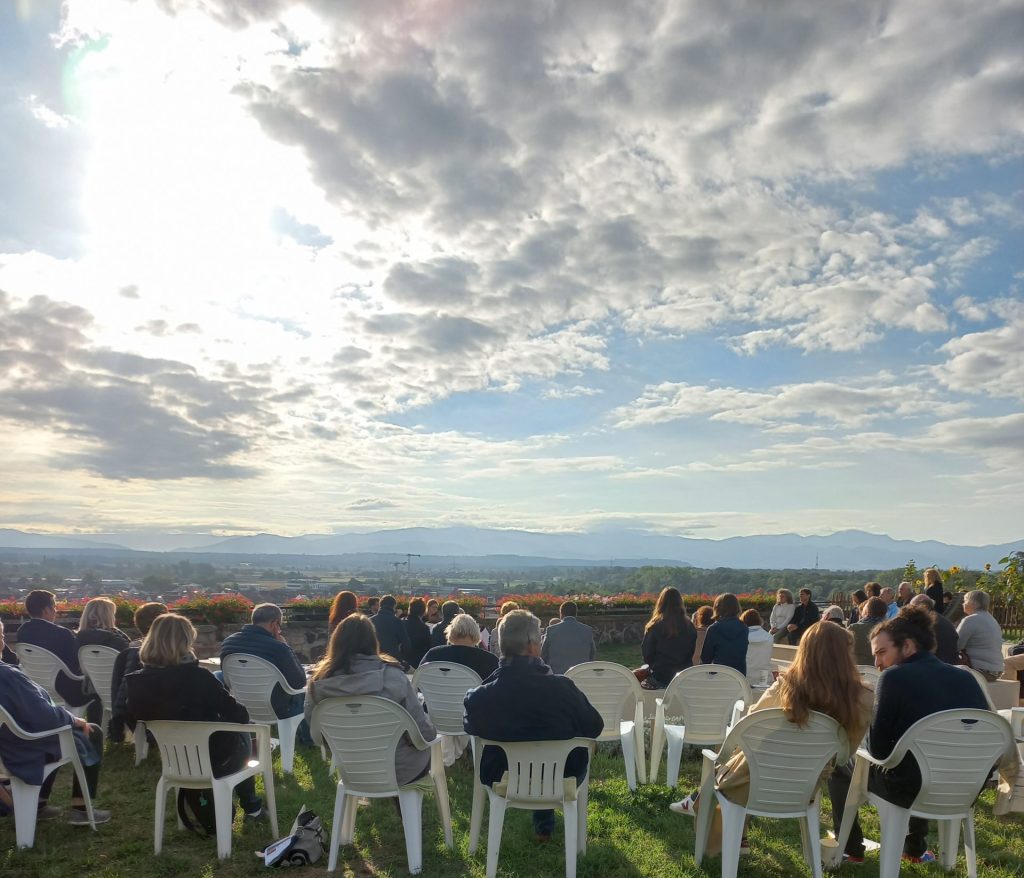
point(956, 751)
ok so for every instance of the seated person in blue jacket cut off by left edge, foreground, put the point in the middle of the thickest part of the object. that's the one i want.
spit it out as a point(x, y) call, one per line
point(32, 709)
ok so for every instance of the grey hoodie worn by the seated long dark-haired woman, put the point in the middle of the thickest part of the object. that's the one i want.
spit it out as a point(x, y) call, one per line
point(372, 677)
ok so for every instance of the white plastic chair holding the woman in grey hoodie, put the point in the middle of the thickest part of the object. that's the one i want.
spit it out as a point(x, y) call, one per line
point(363, 733)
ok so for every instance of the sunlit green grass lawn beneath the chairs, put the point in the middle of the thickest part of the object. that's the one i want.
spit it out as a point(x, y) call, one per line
point(630, 834)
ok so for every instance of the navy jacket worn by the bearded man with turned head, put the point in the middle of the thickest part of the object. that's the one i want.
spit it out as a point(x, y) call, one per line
point(918, 688)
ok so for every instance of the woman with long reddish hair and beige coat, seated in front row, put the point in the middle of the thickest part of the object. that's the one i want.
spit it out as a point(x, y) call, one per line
point(823, 678)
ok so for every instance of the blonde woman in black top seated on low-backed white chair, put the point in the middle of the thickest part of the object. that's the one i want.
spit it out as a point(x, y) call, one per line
point(173, 686)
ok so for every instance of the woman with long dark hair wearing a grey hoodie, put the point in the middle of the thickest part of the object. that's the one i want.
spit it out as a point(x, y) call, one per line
point(354, 665)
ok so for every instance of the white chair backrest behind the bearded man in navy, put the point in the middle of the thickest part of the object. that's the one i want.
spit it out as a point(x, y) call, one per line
point(956, 751)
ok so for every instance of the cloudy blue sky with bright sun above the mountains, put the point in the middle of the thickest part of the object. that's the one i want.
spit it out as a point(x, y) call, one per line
point(706, 269)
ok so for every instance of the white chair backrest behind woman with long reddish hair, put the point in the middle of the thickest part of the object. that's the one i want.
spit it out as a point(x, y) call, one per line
point(786, 761)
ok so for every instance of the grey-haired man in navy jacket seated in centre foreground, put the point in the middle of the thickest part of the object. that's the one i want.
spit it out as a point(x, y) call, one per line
point(524, 701)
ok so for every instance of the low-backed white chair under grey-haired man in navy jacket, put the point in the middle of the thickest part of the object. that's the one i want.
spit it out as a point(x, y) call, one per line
point(536, 781)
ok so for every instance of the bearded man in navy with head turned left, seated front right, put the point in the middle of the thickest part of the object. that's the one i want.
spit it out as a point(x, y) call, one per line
point(914, 685)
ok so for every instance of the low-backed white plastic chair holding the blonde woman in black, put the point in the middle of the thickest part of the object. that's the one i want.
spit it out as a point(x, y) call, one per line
point(185, 752)
